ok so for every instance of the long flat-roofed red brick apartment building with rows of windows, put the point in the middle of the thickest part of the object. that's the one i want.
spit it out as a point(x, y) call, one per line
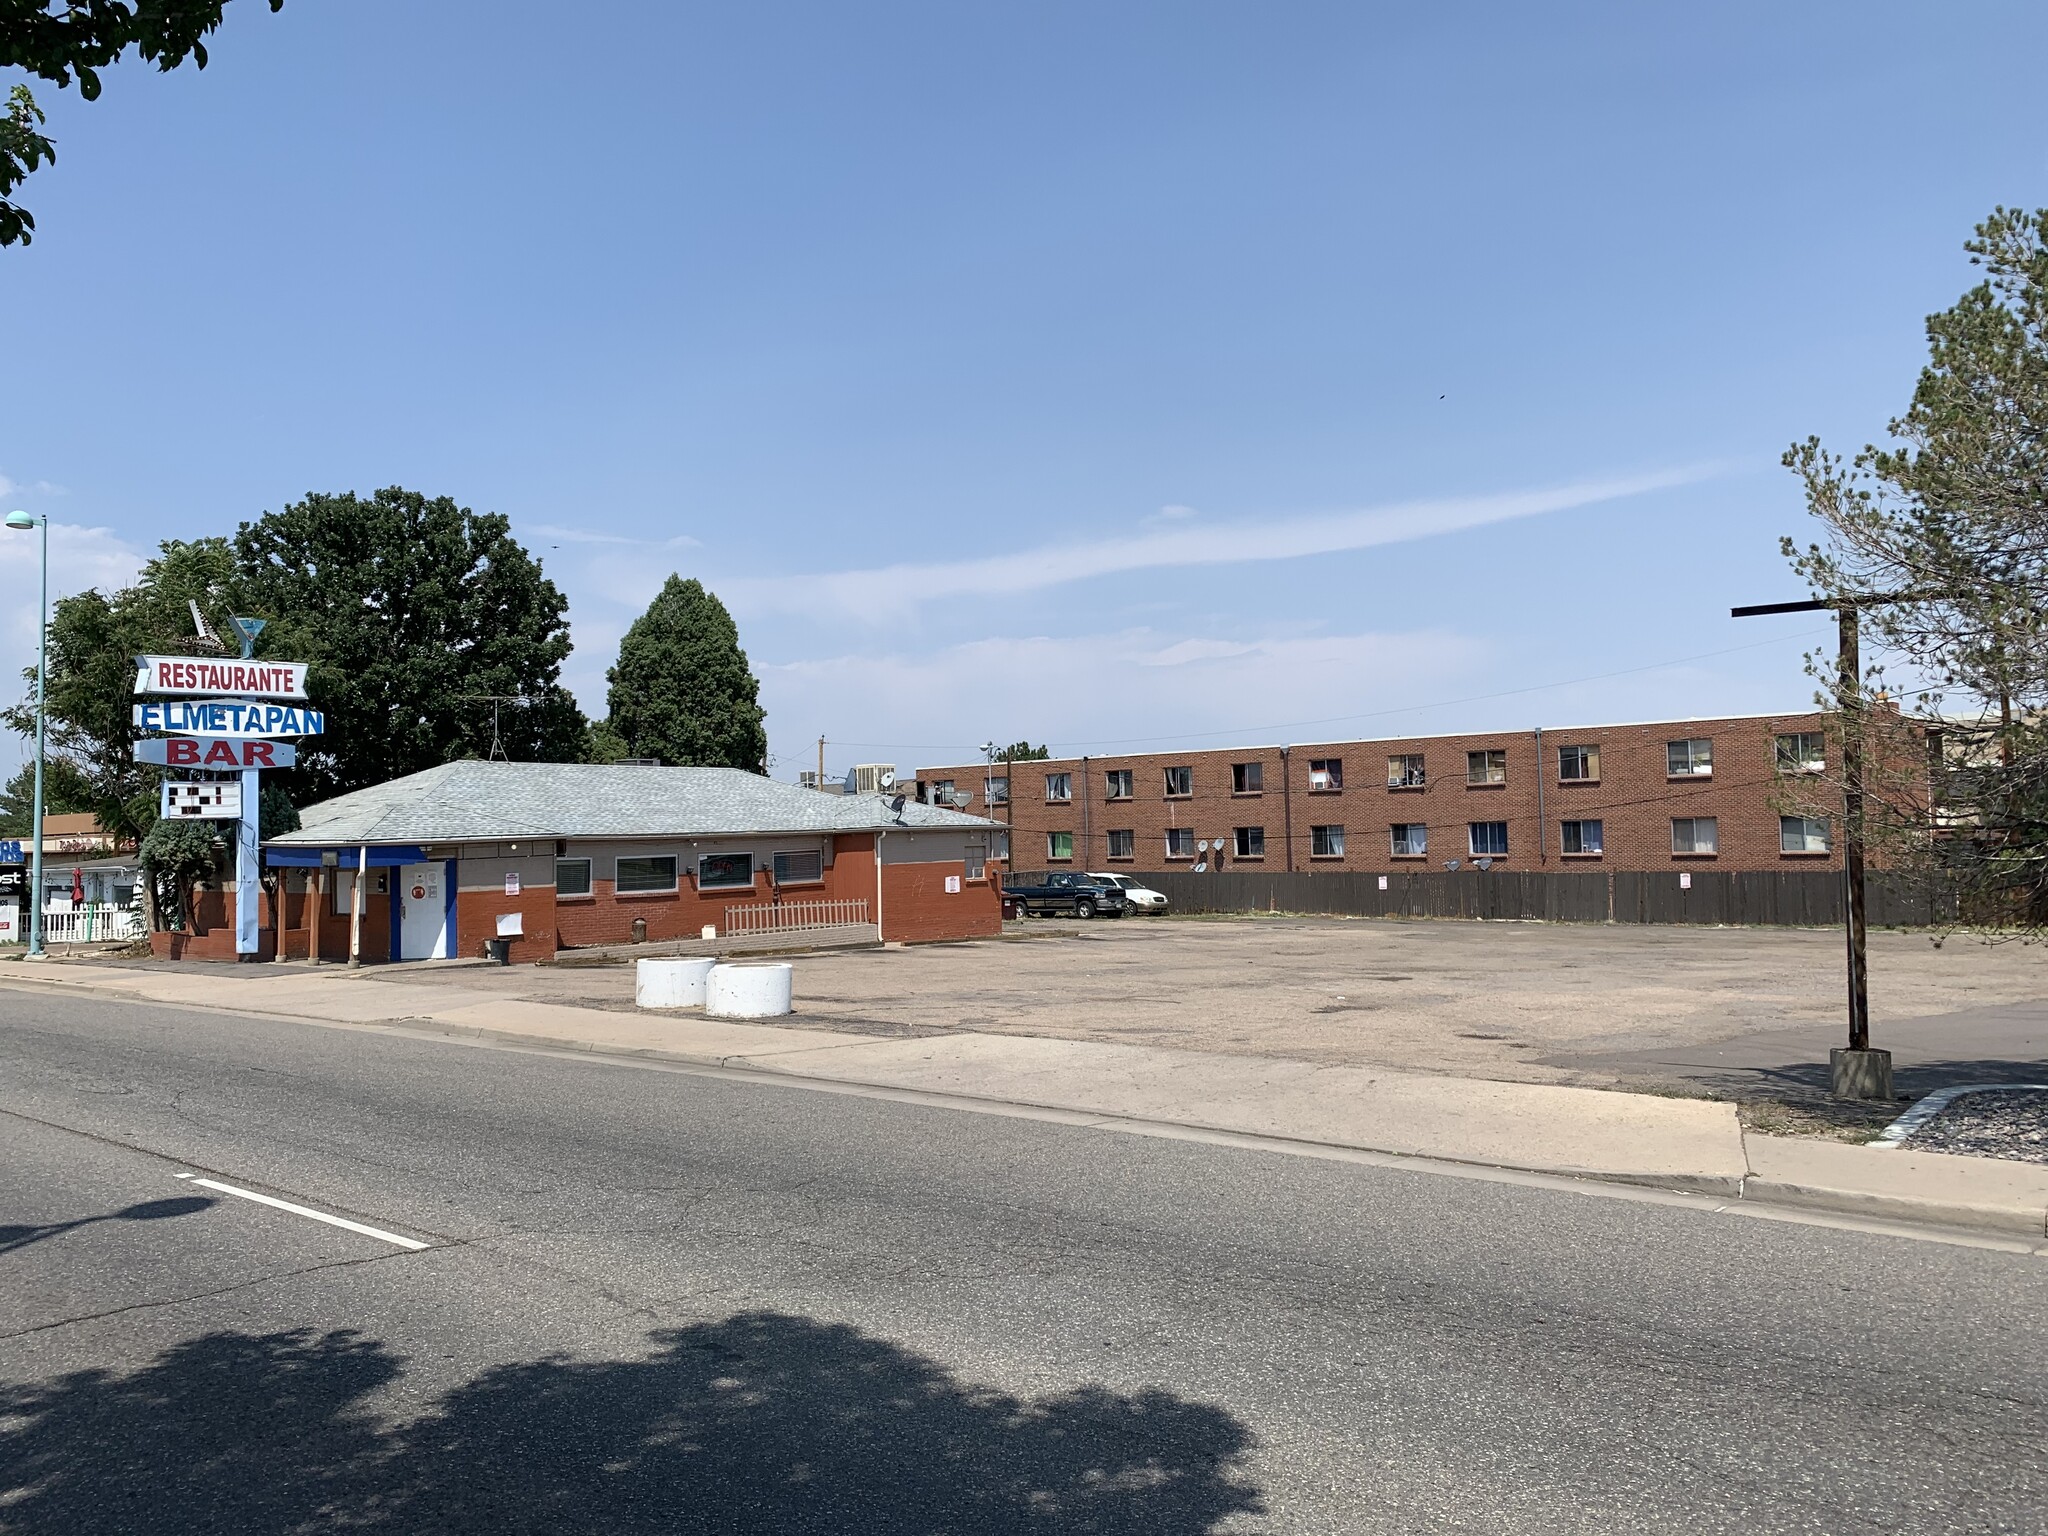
point(1715, 794)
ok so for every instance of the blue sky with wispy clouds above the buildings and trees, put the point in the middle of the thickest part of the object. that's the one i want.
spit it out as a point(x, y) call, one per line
point(1105, 374)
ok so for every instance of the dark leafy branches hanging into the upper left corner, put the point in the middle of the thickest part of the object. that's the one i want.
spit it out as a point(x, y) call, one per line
point(75, 40)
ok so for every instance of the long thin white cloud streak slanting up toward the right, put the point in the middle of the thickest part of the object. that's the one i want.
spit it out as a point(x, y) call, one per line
point(892, 591)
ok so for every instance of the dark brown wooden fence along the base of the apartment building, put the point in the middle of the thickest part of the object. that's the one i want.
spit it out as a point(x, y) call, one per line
point(1789, 898)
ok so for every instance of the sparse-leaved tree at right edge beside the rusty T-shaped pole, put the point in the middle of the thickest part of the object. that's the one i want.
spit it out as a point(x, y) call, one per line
point(1947, 531)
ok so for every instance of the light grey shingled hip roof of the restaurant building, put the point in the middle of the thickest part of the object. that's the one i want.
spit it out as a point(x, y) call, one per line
point(480, 802)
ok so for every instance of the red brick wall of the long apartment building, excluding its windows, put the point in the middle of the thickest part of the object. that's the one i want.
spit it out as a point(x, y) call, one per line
point(1635, 802)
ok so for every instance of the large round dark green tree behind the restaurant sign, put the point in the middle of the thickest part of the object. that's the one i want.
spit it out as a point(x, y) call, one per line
point(427, 628)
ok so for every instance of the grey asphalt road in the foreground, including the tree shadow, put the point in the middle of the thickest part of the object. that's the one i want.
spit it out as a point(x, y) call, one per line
point(675, 1304)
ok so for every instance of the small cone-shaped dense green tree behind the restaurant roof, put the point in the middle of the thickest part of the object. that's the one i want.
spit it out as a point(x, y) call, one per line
point(683, 689)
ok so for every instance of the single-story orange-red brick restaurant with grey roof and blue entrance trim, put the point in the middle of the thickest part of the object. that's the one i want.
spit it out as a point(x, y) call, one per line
point(560, 857)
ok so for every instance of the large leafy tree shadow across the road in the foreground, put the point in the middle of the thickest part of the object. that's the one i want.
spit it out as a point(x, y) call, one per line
point(757, 1424)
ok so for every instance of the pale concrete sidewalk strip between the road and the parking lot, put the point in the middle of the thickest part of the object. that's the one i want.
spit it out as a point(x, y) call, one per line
point(1674, 1144)
